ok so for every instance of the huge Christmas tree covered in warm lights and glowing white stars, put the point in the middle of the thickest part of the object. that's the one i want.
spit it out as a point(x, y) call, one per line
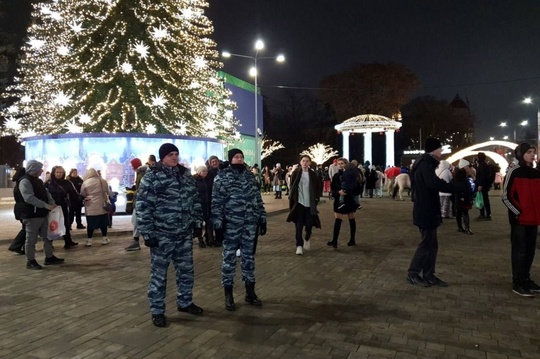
point(113, 66)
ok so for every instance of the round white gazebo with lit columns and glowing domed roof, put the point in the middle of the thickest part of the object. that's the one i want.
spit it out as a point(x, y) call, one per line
point(367, 124)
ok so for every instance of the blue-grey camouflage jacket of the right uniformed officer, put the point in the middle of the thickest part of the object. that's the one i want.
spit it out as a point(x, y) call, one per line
point(236, 198)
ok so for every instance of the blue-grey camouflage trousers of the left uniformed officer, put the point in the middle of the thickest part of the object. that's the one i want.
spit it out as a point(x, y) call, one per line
point(180, 252)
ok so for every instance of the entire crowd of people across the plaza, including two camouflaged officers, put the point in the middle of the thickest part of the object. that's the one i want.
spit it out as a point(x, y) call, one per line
point(221, 205)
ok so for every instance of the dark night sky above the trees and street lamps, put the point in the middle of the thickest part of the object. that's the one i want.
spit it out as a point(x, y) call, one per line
point(485, 50)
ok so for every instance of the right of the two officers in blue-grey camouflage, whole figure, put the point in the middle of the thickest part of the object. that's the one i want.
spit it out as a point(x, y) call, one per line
point(237, 208)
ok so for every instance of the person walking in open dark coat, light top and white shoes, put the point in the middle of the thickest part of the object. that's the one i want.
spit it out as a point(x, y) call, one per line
point(303, 198)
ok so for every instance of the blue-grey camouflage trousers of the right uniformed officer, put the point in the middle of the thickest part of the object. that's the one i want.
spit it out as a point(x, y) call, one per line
point(240, 236)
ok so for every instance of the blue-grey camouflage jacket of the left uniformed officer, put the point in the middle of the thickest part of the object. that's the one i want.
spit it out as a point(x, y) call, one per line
point(167, 202)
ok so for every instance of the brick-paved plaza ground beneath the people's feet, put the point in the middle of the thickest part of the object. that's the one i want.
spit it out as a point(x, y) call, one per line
point(350, 302)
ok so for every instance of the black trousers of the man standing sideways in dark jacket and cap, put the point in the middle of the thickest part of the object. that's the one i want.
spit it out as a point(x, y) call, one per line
point(425, 257)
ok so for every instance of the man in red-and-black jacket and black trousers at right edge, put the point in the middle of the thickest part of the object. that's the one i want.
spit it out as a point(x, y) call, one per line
point(521, 194)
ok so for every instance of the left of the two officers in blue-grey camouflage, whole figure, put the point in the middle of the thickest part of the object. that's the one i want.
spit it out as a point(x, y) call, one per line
point(169, 215)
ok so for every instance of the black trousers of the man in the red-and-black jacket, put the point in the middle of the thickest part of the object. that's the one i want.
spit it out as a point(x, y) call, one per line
point(523, 240)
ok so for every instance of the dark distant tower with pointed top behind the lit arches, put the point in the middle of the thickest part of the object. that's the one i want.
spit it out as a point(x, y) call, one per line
point(463, 121)
